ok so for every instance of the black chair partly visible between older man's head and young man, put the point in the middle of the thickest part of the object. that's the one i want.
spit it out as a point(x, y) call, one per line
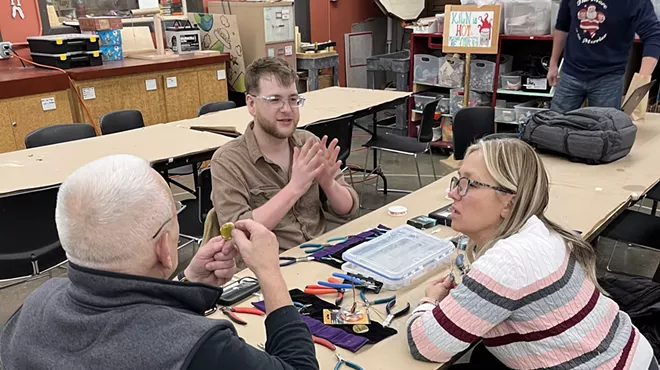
point(193, 212)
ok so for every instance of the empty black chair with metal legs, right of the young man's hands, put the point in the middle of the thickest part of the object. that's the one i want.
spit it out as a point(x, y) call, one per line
point(407, 145)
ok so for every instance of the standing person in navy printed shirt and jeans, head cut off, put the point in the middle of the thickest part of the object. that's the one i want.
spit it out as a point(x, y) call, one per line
point(596, 37)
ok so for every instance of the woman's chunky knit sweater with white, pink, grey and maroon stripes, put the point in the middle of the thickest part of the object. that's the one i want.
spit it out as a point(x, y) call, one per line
point(534, 307)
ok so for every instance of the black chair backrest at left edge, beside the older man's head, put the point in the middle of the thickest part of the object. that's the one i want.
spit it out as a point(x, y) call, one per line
point(29, 240)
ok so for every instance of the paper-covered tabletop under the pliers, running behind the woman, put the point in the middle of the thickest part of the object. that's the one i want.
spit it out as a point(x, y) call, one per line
point(582, 197)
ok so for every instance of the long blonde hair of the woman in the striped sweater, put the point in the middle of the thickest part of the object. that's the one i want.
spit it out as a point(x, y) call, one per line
point(514, 165)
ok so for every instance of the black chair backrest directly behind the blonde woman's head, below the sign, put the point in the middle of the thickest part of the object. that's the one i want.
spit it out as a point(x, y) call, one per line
point(471, 124)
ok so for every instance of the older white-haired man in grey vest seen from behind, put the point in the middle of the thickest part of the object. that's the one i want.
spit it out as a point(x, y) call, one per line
point(117, 310)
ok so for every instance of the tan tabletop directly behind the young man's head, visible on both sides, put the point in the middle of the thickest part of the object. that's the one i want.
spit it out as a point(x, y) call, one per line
point(323, 104)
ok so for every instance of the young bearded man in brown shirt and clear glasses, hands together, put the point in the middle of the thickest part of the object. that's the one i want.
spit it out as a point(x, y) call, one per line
point(274, 173)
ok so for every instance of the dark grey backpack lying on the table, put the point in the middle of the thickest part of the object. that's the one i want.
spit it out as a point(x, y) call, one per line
point(591, 135)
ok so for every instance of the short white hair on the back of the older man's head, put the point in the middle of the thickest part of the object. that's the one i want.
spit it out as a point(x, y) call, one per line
point(108, 211)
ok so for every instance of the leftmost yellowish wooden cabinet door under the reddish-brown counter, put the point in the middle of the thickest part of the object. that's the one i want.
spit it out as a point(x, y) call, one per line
point(20, 116)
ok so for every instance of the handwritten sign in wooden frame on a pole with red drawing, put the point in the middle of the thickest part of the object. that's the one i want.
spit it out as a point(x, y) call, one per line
point(471, 29)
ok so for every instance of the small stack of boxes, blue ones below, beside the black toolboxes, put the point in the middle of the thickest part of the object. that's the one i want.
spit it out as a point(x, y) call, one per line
point(108, 29)
